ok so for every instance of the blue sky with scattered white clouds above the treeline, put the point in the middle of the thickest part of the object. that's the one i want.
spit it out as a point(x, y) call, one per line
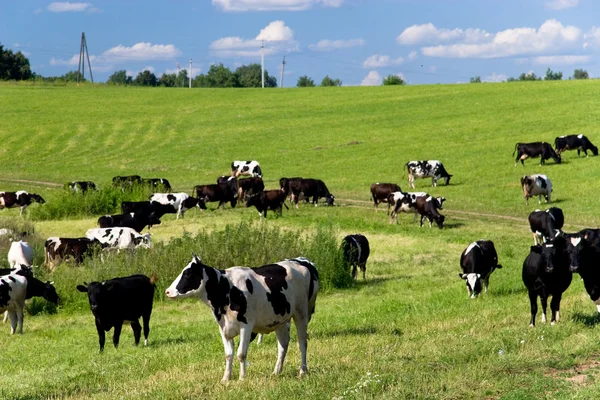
point(357, 41)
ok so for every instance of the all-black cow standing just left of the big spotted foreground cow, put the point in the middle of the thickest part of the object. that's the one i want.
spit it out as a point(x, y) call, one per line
point(120, 300)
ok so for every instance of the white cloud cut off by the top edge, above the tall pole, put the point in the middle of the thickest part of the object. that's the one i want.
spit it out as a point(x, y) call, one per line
point(273, 5)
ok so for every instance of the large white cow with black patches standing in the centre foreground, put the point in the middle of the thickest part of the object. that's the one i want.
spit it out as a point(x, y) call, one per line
point(248, 301)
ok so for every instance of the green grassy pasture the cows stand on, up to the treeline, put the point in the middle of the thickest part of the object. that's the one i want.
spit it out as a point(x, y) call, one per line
point(409, 331)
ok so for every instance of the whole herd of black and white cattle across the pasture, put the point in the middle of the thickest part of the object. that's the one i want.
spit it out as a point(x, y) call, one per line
point(252, 301)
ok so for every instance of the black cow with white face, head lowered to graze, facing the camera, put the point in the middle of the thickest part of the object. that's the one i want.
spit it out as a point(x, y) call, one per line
point(477, 262)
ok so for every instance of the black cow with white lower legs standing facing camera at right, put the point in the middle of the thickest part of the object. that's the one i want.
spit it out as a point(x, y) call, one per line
point(546, 273)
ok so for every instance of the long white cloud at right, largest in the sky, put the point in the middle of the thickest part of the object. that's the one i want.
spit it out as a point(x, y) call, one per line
point(551, 36)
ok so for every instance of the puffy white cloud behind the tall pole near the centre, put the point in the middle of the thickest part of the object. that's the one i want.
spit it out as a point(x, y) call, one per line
point(277, 35)
